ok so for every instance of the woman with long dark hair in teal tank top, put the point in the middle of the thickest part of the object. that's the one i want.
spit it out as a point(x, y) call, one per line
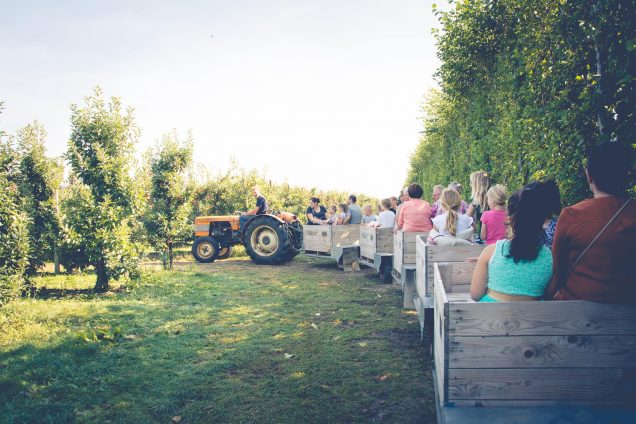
point(520, 268)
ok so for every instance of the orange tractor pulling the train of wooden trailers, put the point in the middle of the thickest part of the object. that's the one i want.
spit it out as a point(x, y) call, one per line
point(269, 239)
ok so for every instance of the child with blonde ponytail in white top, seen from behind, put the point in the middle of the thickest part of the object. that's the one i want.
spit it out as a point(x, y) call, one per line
point(451, 224)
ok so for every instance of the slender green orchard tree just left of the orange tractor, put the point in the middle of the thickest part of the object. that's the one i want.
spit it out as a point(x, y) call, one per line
point(166, 219)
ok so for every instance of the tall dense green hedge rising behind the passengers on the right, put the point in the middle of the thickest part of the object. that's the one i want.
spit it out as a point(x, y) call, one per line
point(526, 88)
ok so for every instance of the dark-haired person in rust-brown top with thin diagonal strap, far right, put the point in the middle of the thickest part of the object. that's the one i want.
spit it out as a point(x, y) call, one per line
point(594, 247)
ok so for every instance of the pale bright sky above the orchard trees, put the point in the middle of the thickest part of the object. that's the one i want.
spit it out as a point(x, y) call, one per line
point(323, 94)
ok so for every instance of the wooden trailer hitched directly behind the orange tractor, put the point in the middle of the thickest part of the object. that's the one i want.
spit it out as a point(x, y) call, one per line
point(338, 242)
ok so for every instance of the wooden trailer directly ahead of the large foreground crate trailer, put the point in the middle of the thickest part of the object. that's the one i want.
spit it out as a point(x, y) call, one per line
point(425, 256)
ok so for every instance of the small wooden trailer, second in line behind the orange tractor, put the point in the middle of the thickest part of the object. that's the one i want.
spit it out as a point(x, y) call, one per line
point(376, 250)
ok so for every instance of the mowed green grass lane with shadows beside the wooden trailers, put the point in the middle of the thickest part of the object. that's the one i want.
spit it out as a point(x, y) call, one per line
point(226, 342)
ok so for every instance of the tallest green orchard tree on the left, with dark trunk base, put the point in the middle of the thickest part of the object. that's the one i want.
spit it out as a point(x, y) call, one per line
point(97, 215)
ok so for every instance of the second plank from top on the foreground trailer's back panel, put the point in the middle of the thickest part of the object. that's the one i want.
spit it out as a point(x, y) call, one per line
point(542, 351)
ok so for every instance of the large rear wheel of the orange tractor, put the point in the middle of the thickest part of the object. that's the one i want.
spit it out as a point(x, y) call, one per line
point(267, 241)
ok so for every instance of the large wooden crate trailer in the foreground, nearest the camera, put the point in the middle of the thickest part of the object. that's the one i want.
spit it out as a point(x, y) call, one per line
point(530, 362)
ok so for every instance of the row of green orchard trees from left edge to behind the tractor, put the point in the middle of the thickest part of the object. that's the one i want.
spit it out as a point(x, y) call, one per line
point(112, 209)
